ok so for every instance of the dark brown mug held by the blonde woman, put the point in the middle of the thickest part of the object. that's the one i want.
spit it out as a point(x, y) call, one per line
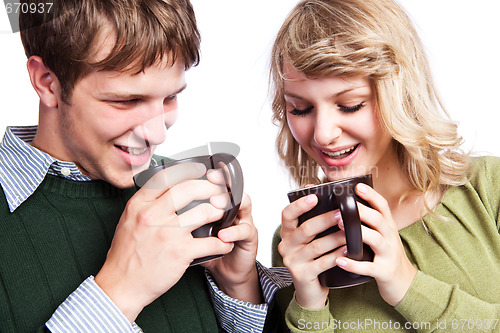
point(334, 195)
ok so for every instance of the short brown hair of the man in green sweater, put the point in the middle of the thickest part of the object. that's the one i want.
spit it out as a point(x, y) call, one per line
point(145, 31)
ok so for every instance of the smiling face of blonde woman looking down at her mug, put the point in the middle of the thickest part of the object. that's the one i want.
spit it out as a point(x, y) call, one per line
point(333, 119)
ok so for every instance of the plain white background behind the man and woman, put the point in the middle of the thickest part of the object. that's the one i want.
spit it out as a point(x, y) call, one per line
point(227, 96)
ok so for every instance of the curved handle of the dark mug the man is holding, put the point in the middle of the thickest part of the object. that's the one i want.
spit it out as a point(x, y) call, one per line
point(234, 188)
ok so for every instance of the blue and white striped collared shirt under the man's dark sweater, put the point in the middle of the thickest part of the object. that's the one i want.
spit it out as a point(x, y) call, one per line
point(22, 170)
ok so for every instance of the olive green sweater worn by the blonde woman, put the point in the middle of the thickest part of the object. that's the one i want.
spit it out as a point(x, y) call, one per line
point(457, 287)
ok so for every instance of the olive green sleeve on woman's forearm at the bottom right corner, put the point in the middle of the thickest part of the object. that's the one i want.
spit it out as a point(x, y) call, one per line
point(441, 307)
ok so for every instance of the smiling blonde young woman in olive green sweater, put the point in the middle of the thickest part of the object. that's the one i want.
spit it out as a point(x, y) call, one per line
point(353, 94)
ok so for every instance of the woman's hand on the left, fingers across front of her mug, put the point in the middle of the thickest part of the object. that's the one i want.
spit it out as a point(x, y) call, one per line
point(303, 255)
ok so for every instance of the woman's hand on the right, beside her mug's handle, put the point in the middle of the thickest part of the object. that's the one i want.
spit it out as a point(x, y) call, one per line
point(391, 268)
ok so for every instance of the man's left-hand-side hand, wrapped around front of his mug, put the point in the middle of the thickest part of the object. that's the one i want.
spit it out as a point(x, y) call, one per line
point(153, 246)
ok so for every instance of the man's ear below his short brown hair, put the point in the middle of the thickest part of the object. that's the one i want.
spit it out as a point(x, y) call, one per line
point(44, 81)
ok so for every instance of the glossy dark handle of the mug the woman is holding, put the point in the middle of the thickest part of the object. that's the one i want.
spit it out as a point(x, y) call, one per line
point(350, 216)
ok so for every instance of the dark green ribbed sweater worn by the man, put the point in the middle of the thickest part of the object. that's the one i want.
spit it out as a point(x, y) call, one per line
point(58, 238)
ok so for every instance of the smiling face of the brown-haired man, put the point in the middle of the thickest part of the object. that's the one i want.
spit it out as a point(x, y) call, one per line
point(116, 120)
